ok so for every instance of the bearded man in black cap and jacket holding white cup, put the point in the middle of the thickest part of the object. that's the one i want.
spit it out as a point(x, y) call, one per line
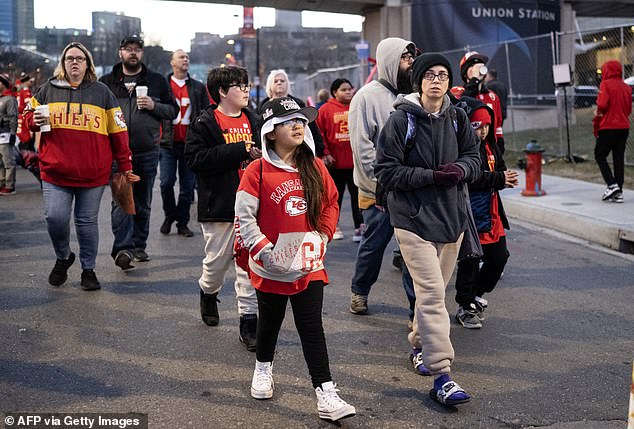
point(146, 100)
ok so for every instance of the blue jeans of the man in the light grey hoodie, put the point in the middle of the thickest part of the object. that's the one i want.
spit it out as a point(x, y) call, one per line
point(378, 233)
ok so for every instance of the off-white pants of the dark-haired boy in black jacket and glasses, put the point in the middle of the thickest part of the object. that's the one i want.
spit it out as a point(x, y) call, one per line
point(219, 237)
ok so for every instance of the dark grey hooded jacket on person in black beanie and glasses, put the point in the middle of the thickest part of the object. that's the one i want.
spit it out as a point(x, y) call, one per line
point(416, 204)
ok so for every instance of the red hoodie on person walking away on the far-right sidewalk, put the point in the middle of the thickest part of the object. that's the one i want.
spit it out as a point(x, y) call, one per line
point(614, 102)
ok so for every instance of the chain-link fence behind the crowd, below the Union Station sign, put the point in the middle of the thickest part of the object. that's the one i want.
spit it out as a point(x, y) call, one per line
point(559, 118)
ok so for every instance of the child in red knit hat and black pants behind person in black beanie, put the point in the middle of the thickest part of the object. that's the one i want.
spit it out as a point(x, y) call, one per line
point(473, 279)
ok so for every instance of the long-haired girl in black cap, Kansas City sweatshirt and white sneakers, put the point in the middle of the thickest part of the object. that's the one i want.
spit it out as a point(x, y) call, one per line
point(286, 212)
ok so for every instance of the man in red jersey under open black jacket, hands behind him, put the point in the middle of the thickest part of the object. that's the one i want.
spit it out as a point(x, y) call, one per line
point(191, 96)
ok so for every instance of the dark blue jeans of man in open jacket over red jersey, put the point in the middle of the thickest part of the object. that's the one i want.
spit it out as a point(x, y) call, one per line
point(171, 161)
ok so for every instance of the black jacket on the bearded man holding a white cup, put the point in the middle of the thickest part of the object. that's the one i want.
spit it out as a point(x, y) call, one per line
point(144, 126)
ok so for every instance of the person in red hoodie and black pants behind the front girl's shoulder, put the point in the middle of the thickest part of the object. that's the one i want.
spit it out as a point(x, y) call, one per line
point(333, 123)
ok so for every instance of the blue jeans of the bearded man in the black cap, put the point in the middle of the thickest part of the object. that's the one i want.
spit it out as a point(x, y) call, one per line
point(131, 231)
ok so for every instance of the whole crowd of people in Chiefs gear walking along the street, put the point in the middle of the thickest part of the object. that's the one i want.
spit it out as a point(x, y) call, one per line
point(423, 161)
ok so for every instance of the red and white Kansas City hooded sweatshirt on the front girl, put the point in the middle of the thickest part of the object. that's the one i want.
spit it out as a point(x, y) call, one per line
point(285, 253)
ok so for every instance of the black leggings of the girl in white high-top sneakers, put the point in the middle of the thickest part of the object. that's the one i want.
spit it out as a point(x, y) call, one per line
point(306, 307)
